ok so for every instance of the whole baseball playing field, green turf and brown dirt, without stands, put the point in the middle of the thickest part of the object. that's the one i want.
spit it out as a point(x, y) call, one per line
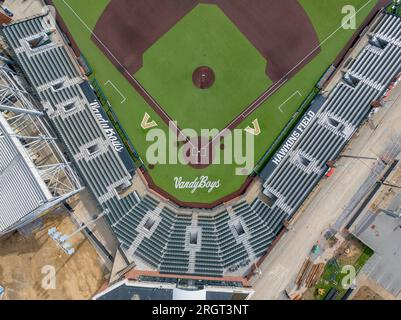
point(209, 65)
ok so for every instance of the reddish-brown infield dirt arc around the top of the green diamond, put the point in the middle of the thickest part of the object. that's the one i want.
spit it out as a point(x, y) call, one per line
point(138, 25)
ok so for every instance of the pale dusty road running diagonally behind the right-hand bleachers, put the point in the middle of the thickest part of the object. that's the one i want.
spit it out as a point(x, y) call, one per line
point(328, 202)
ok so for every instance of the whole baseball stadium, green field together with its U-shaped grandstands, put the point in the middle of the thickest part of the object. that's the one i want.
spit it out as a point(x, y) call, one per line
point(295, 76)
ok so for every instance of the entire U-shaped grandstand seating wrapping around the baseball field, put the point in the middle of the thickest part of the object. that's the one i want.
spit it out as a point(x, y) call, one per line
point(230, 239)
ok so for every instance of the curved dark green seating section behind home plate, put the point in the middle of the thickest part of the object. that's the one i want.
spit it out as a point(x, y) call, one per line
point(219, 249)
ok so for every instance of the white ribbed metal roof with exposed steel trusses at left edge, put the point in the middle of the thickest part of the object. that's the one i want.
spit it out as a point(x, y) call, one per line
point(34, 176)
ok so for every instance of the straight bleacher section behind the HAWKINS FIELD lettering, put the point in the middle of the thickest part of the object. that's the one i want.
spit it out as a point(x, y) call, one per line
point(346, 107)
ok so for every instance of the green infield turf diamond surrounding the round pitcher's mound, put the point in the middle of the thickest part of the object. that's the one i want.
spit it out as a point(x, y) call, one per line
point(239, 68)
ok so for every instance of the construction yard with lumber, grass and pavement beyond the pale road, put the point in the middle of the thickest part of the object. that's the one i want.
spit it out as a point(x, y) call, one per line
point(323, 271)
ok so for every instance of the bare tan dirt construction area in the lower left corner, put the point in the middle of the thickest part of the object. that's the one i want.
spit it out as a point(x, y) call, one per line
point(27, 263)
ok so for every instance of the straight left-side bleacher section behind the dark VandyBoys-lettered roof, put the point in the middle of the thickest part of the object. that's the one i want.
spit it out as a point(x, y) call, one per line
point(55, 76)
